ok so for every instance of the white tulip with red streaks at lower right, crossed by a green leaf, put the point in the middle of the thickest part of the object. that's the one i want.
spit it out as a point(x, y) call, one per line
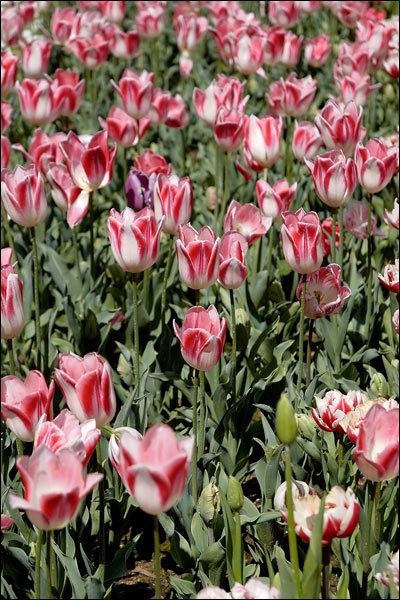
point(341, 514)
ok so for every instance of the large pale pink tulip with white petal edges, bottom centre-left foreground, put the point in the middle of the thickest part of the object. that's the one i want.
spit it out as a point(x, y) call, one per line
point(154, 469)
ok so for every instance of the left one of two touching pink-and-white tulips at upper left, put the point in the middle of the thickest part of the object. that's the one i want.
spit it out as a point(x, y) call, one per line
point(38, 102)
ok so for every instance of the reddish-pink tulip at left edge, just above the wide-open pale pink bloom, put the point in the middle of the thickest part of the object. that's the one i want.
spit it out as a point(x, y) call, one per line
point(23, 403)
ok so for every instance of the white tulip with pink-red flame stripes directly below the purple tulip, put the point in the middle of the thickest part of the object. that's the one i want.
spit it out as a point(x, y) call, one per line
point(134, 238)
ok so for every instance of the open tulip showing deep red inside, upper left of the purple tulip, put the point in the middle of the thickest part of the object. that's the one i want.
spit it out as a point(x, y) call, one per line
point(91, 165)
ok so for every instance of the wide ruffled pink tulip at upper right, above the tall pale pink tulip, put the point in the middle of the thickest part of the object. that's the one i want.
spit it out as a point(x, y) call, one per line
point(292, 97)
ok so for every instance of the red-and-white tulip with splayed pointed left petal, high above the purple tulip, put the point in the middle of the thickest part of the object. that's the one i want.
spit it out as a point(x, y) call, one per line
point(136, 92)
